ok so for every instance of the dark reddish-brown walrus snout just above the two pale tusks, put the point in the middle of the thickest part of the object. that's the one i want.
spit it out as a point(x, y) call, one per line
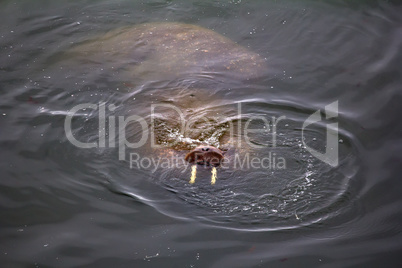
point(205, 155)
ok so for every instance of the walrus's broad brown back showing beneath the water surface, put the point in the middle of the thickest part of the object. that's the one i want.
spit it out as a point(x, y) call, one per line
point(169, 50)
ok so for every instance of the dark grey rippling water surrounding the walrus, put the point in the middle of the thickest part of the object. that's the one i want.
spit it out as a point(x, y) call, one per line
point(64, 206)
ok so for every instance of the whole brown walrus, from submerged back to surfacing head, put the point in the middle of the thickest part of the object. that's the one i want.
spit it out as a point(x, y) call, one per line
point(197, 57)
